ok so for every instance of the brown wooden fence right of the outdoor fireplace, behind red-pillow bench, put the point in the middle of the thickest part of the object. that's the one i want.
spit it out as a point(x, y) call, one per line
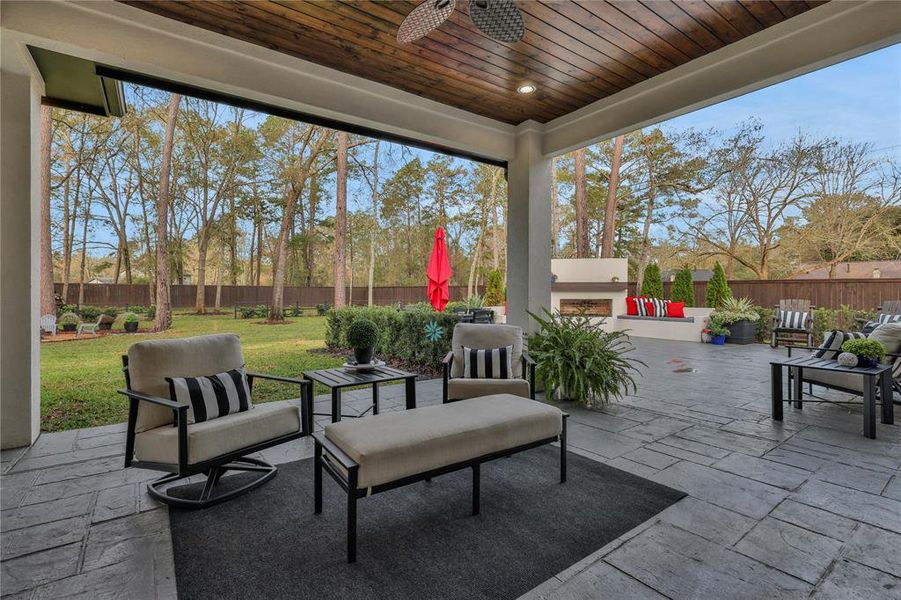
point(861, 294)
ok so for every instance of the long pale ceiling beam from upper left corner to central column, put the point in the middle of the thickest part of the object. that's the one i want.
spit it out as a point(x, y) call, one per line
point(131, 39)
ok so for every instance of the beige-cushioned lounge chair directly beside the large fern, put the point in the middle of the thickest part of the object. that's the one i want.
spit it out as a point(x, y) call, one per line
point(458, 386)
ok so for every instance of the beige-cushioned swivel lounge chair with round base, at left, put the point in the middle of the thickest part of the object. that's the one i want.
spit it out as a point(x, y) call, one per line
point(160, 437)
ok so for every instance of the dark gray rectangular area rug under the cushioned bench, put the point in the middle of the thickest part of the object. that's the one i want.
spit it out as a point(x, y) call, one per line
point(415, 542)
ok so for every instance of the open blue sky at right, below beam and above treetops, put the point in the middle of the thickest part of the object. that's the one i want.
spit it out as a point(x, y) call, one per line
point(858, 100)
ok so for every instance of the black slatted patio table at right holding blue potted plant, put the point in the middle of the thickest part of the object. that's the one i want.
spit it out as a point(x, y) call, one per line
point(872, 376)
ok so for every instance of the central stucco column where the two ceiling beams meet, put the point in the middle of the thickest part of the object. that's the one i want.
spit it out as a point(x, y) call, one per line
point(528, 228)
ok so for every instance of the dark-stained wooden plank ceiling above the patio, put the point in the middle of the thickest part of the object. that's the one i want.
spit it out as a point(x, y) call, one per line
point(575, 52)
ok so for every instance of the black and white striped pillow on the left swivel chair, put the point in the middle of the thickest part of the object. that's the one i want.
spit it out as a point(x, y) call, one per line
point(212, 396)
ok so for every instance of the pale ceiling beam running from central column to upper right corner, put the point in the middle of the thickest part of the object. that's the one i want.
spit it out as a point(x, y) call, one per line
point(820, 37)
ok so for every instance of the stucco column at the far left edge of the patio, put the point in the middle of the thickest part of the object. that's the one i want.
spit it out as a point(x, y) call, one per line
point(20, 397)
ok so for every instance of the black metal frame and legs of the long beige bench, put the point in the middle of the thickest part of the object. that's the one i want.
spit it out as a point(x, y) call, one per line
point(345, 471)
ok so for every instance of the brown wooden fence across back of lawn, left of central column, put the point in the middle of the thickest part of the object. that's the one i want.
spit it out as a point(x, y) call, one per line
point(183, 296)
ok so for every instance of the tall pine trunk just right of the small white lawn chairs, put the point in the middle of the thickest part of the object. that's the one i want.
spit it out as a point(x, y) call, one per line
point(163, 307)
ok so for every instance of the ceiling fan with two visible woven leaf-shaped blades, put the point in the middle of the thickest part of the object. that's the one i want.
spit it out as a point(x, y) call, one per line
point(498, 19)
